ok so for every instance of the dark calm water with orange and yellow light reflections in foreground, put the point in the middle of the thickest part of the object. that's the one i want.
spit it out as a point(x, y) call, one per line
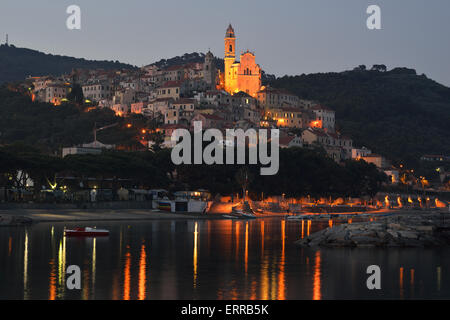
point(218, 259)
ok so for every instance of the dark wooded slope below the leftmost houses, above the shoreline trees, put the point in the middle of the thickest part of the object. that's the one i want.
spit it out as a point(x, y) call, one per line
point(51, 128)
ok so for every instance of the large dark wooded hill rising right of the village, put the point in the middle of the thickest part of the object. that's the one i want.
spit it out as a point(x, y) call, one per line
point(396, 113)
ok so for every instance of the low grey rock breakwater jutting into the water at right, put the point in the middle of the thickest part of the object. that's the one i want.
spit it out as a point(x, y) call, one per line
point(404, 230)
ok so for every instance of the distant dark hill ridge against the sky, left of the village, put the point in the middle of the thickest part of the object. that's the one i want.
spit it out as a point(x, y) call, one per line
point(18, 63)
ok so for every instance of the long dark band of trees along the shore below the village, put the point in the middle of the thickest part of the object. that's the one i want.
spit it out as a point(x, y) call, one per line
point(302, 172)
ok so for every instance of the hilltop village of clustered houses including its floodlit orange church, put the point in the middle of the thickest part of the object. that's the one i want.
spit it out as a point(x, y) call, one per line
point(177, 95)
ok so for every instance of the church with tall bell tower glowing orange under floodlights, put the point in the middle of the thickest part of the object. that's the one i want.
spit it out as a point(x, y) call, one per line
point(243, 75)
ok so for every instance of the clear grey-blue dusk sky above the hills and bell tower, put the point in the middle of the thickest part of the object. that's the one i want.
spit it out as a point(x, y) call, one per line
point(287, 36)
